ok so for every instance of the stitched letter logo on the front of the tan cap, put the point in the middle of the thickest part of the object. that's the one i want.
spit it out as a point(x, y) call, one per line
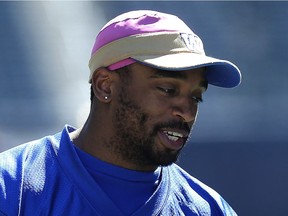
point(193, 42)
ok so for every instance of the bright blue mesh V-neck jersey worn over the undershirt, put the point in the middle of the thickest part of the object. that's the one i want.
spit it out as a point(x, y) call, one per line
point(47, 177)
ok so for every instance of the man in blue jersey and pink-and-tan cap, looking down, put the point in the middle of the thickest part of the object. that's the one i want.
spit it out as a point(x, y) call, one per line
point(148, 74)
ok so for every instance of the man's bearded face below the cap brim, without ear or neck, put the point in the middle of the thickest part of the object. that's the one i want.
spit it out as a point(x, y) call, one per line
point(154, 113)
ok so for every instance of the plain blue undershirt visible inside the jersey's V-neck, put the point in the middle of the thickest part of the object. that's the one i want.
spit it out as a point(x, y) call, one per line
point(121, 185)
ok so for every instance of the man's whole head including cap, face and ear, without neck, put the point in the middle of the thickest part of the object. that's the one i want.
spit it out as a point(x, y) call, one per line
point(149, 71)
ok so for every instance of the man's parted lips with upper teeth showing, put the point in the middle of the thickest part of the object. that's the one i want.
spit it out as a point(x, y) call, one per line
point(172, 138)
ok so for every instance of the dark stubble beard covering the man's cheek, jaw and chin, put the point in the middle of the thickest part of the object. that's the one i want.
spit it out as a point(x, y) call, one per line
point(134, 142)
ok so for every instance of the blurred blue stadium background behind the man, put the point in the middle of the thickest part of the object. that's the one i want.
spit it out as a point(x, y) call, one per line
point(239, 144)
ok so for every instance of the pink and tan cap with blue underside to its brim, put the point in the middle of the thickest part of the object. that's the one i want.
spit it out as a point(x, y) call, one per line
point(158, 40)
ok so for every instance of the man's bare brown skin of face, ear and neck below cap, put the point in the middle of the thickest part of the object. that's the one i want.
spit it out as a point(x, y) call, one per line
point(146, 120)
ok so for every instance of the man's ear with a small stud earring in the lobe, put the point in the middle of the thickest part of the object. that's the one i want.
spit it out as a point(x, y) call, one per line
point(101, 84)
